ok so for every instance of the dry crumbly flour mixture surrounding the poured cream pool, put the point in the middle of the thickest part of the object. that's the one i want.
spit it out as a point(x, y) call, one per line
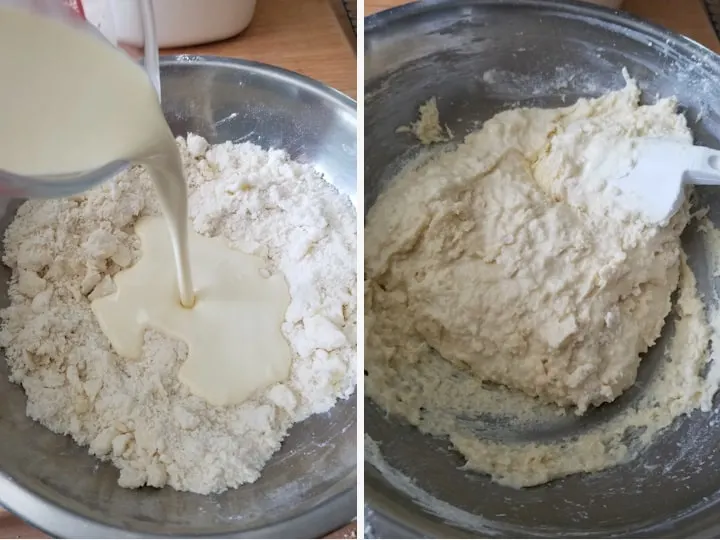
point(63, 253)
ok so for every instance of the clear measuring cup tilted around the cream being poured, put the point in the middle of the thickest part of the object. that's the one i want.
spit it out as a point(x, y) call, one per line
point(72, 12)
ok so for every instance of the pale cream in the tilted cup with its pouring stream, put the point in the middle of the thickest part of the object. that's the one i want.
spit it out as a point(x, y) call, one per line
point(71, 102)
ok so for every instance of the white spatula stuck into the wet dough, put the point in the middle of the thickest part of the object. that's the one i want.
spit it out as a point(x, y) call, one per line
point(653, 186)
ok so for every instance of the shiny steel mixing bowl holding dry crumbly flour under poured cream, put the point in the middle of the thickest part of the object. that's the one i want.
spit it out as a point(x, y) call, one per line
point(308, 488)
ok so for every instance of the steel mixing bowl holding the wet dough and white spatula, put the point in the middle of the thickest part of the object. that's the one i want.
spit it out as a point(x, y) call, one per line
point(480, 57)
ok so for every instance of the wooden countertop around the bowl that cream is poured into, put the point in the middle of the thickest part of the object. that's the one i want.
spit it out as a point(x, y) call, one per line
point(302, 36)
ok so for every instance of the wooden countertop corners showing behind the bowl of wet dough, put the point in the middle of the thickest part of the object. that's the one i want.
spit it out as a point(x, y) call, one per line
point(684, 16)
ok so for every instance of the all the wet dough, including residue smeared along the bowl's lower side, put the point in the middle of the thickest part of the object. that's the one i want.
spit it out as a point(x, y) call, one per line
point(502, 280)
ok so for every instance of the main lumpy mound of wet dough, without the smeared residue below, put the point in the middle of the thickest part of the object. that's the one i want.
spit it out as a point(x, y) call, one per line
point(508, 258)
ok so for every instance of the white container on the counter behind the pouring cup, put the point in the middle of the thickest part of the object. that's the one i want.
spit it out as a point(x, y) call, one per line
point(179, 23)
